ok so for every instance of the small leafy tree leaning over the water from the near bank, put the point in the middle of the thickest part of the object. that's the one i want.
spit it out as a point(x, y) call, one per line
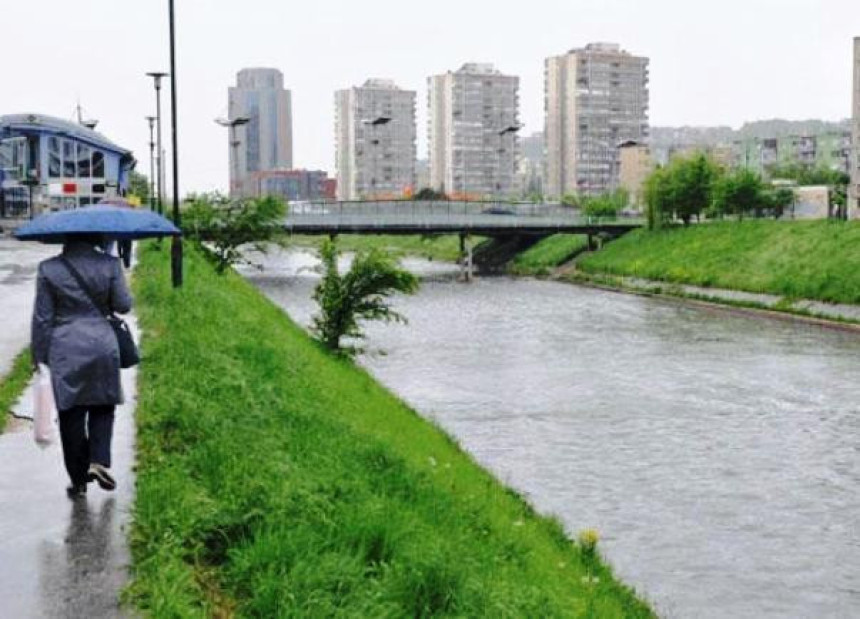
point(360, 294)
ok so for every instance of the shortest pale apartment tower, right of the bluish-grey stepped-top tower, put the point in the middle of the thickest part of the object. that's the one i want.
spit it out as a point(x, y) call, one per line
point(375, 141)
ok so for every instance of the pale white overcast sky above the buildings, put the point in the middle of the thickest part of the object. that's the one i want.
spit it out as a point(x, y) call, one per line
point(711, 63)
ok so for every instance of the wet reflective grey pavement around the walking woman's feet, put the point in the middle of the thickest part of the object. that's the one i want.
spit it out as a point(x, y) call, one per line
point(62, 558)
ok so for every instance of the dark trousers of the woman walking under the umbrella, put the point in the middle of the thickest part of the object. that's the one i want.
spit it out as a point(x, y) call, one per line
point(86, 433)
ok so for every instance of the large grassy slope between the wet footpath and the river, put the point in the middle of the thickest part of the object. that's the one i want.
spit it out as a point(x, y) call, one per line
point(276, 480)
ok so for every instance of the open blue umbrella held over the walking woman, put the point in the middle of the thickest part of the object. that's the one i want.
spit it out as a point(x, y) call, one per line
point(110, 221)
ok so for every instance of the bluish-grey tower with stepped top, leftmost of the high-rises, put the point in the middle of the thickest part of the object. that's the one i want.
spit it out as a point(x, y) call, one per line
point(265, 141)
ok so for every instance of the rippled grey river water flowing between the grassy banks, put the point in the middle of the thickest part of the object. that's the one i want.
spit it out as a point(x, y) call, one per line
point(717, 454)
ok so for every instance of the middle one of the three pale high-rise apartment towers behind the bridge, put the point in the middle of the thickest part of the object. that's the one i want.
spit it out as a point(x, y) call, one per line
point(473, 124)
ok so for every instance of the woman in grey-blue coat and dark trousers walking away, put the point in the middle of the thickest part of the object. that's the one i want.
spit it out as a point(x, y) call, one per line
point(70, 334)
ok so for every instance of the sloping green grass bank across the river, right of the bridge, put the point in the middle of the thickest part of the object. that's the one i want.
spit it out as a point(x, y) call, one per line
point(811, 260)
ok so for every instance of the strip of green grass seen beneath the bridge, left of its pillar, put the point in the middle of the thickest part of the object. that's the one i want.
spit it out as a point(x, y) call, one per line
point(444, 247)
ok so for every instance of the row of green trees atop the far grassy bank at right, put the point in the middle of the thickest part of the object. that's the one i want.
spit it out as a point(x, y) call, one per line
point(696, 187)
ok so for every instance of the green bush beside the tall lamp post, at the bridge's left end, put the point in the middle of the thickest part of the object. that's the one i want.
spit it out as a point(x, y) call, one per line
point(225, 229)
